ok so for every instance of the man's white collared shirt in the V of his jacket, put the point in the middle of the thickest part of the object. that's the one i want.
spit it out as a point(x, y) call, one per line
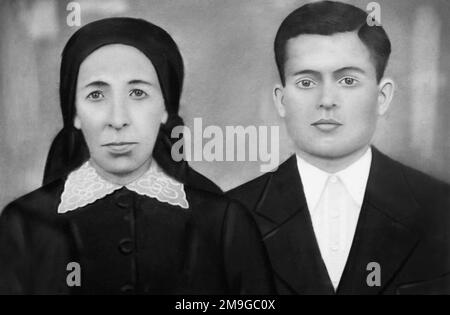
point(334, 202)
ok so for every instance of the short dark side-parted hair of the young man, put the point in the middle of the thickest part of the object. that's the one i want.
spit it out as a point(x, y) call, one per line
point(328, 18)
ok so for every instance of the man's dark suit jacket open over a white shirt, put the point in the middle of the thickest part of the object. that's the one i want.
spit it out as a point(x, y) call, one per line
point(404, 226)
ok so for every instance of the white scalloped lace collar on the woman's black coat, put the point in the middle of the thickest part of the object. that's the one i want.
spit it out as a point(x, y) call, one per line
point(84, 186)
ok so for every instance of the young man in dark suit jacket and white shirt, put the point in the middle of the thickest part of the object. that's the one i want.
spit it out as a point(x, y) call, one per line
point(339, 216)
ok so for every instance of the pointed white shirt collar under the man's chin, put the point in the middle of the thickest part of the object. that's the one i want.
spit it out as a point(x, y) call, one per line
point(354, 178)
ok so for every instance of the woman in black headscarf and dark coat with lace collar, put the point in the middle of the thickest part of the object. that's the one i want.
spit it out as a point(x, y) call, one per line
point(116, 213)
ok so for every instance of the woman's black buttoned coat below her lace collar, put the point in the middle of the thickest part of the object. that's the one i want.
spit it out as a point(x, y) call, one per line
point(128, 243)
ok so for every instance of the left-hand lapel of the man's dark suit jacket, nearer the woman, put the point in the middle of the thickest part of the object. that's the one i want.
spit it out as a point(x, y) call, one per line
point(284, 220)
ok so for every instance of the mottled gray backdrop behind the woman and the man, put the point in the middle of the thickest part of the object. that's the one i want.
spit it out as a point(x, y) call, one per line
point(230, 72)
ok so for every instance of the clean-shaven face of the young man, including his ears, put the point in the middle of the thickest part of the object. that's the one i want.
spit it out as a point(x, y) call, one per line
point(331, 100)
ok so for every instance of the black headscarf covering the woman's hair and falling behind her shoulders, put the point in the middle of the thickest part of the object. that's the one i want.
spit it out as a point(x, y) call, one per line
point(69, 149)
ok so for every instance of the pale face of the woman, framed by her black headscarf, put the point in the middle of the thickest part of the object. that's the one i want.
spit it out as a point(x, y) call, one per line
point(119, 109)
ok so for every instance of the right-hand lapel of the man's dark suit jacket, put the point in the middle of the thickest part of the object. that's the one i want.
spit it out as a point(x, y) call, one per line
point(385, 232)
